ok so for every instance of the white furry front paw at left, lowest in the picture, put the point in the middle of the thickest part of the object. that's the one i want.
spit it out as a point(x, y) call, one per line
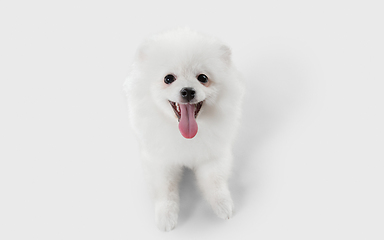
point(166, 215)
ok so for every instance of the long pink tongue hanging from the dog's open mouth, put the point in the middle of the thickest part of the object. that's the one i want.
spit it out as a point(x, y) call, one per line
point(187, 124)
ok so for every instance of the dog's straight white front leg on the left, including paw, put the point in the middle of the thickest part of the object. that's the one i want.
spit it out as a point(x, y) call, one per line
point(164, 180)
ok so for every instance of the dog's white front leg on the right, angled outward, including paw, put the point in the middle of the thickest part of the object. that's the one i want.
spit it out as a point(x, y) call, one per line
point(212, 178)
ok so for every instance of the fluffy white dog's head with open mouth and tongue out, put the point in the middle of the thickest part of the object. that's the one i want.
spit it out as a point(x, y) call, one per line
point(186, 76)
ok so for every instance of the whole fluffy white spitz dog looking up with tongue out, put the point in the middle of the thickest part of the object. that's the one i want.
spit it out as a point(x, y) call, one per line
point(184, 97)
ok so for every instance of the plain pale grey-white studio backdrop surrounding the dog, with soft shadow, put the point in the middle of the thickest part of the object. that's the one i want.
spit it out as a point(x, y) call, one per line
point(309, 157)
